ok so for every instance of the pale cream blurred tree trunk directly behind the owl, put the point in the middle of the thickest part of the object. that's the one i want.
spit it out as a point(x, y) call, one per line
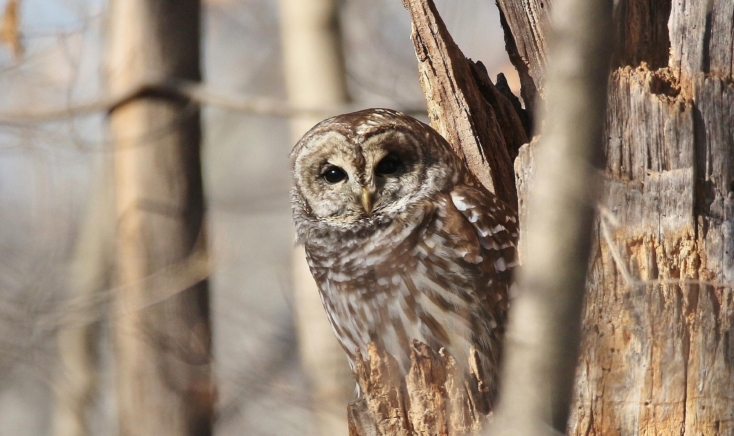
point(315, 76)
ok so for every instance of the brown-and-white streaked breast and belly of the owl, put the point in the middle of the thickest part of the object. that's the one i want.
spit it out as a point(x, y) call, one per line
point(425, 275)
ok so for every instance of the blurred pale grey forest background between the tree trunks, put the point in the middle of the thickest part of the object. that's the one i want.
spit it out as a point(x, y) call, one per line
point(53, 164)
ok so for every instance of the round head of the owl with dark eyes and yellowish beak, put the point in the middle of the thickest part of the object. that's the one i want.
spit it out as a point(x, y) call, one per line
point(366, 166)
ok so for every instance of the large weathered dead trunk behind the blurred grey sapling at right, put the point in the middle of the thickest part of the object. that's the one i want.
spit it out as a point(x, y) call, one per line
point(658, 328)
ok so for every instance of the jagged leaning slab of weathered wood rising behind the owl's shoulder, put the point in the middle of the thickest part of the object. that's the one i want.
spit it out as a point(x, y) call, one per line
point(464, 106)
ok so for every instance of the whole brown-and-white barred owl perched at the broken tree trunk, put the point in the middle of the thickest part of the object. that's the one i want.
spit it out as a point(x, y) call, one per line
point(402, 240)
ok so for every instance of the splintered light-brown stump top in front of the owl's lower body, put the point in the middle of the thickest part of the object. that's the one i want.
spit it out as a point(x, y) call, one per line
point(436, 397)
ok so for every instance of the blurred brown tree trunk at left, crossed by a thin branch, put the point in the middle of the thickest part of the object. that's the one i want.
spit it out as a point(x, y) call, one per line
point(162, 349)
